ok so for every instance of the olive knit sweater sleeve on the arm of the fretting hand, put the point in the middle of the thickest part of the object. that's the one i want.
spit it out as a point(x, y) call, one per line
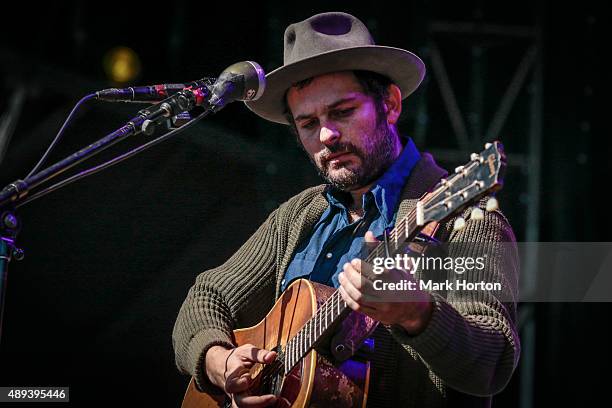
point(471, 341)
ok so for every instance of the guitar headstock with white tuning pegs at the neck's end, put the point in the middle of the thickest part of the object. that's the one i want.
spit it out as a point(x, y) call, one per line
point(481, 175)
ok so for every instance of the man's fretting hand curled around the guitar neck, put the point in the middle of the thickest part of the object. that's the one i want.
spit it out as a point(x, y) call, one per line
point(359, 294)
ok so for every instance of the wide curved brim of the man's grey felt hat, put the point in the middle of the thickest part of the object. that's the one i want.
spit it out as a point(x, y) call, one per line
point(404, 68)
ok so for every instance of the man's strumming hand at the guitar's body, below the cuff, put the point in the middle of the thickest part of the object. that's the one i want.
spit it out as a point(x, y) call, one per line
point(229, 370)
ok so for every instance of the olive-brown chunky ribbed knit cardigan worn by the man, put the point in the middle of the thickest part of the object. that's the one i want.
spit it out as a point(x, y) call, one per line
point(467, 352)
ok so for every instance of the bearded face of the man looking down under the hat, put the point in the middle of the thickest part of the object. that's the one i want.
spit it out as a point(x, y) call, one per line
point(341, 132)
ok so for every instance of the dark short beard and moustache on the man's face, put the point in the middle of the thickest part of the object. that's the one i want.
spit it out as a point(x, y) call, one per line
point(376, 156)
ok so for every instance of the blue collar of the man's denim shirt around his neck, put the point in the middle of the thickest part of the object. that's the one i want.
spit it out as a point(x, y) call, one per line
point(387, 189)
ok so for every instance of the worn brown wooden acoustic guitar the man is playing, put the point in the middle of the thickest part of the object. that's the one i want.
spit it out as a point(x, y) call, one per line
point(306, 315)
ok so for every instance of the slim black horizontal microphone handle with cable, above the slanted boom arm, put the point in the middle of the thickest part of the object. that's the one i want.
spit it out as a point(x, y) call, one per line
point(148, 93)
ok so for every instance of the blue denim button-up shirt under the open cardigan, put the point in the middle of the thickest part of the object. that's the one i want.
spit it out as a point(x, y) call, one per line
point(335, 240)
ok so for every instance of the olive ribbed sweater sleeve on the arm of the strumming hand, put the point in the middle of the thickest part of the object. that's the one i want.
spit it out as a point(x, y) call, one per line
point(216, 304)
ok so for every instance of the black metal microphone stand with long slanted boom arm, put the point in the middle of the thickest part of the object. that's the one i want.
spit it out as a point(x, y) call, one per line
point(16, 192)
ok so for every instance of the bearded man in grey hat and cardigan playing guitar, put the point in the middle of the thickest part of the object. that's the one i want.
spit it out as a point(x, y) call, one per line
point(341, 94)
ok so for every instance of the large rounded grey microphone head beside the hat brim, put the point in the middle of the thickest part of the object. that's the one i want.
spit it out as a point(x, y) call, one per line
point(243, 81)
